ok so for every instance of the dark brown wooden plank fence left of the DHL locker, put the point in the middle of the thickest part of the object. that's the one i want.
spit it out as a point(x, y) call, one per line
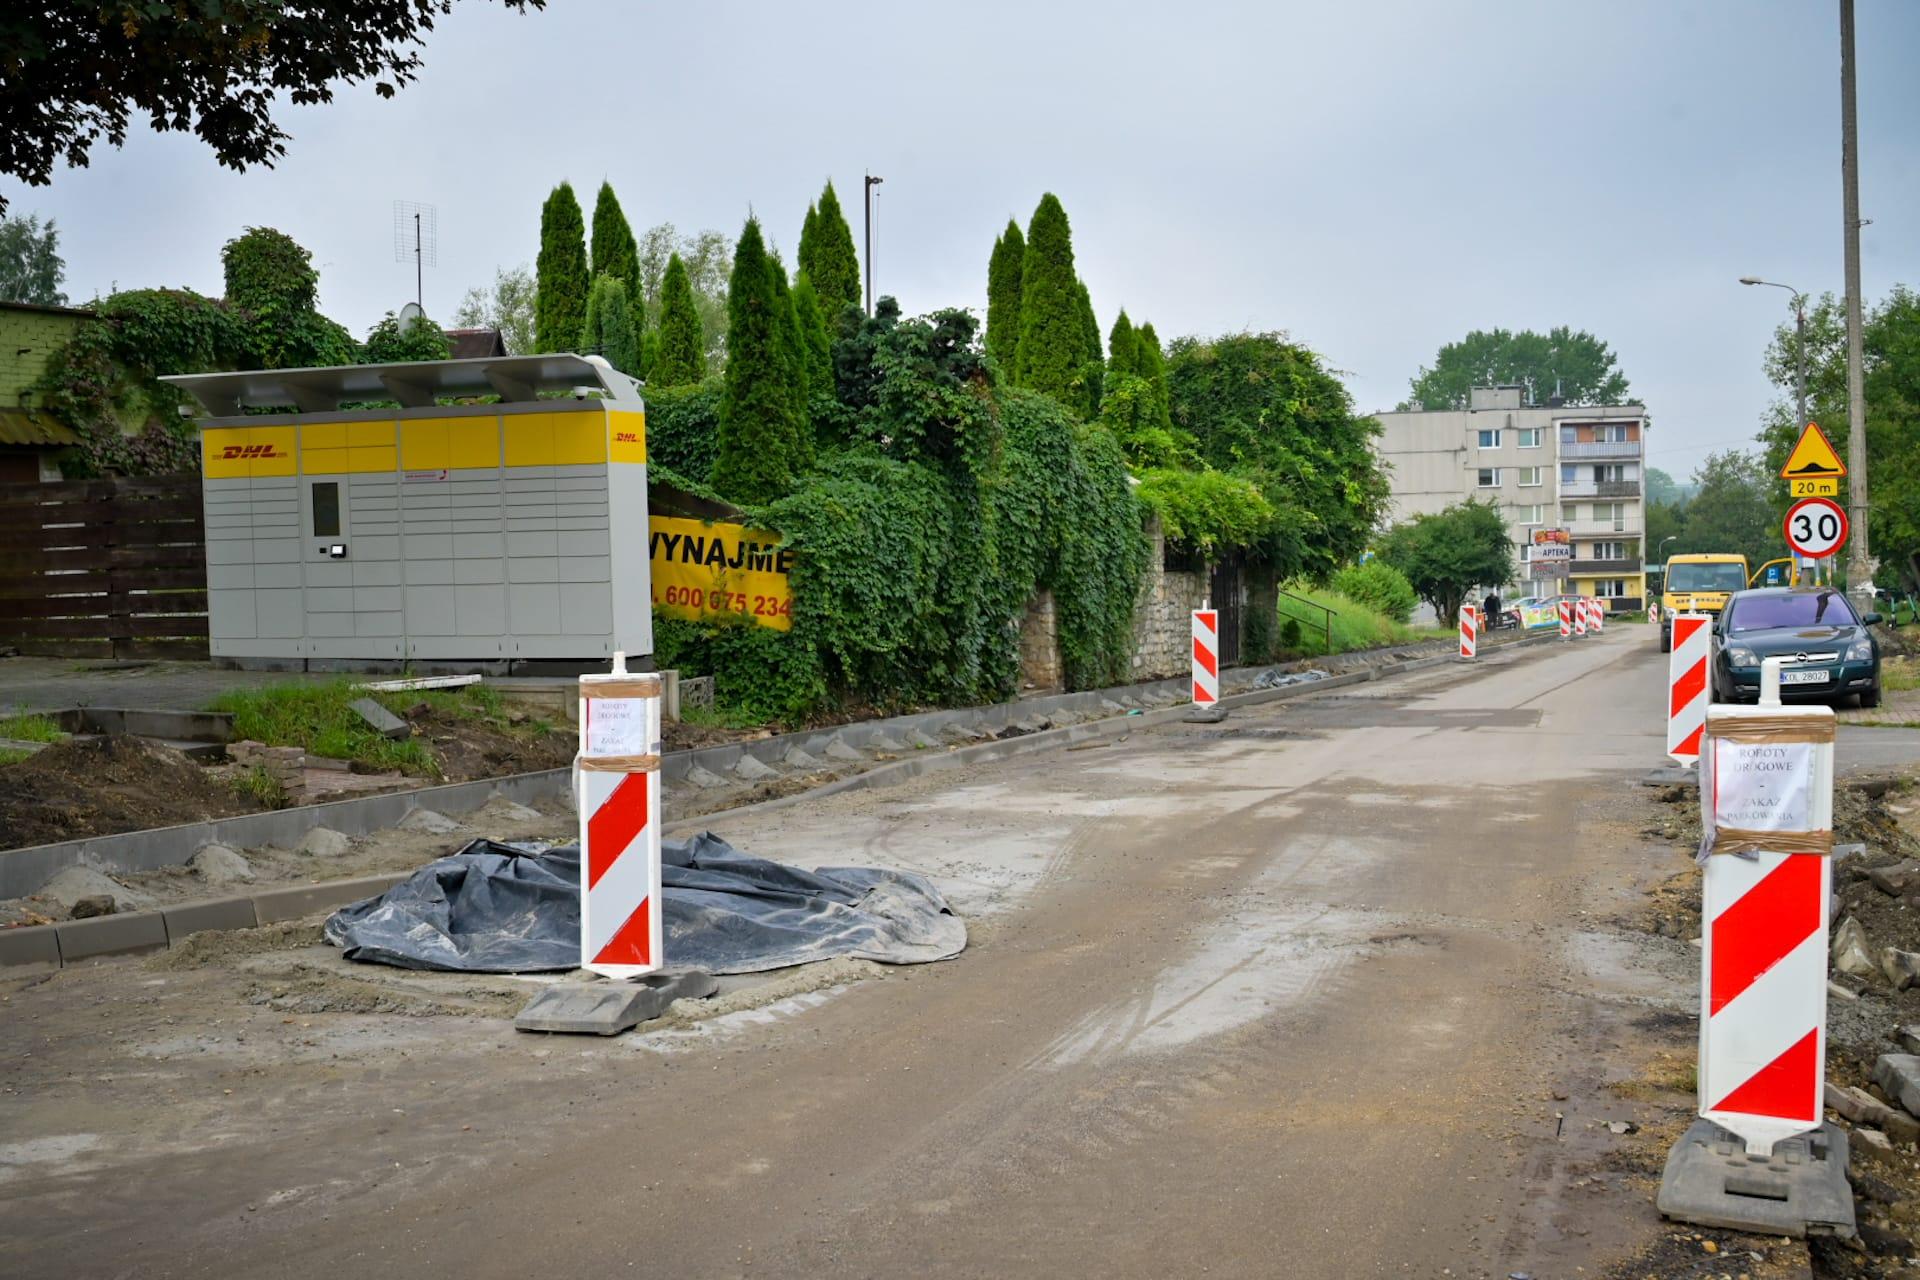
point(105, 569)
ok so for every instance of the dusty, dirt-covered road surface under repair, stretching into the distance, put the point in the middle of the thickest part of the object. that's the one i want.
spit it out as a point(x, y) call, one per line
point(1330, 989)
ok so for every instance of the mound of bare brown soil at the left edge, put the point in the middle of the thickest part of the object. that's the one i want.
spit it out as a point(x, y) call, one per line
point(107, 786)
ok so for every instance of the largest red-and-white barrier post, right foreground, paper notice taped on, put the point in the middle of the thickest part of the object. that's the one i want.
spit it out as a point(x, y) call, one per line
point(1767, 809)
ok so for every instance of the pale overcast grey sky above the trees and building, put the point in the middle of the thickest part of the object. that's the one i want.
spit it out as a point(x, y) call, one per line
point(1376, 179)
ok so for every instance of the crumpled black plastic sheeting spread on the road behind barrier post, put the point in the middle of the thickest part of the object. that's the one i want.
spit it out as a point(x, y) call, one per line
point(516, 909)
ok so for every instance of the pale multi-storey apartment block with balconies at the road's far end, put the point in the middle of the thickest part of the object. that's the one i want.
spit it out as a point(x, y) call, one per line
point(1575, 469)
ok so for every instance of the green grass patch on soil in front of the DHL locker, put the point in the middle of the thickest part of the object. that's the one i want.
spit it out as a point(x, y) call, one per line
point(316, 717)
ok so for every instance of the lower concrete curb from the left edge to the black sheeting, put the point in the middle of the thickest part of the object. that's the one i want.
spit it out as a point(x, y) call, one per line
point(55, 947)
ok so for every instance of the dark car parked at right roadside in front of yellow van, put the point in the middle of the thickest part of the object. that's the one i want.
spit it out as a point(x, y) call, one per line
point(1831, 652)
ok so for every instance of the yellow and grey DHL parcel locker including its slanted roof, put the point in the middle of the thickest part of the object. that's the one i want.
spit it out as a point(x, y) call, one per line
point(508, 533)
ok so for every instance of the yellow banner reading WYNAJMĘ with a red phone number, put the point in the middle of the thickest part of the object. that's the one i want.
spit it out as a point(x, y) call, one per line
point(709, 571)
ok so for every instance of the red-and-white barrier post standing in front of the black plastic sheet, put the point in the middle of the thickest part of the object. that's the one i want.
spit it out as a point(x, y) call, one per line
point(617, 790)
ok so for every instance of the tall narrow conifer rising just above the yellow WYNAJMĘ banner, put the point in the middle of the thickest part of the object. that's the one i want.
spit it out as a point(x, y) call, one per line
point(761, 439)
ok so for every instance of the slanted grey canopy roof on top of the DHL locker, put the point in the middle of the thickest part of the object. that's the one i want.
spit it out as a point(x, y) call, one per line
point(416, 385)
